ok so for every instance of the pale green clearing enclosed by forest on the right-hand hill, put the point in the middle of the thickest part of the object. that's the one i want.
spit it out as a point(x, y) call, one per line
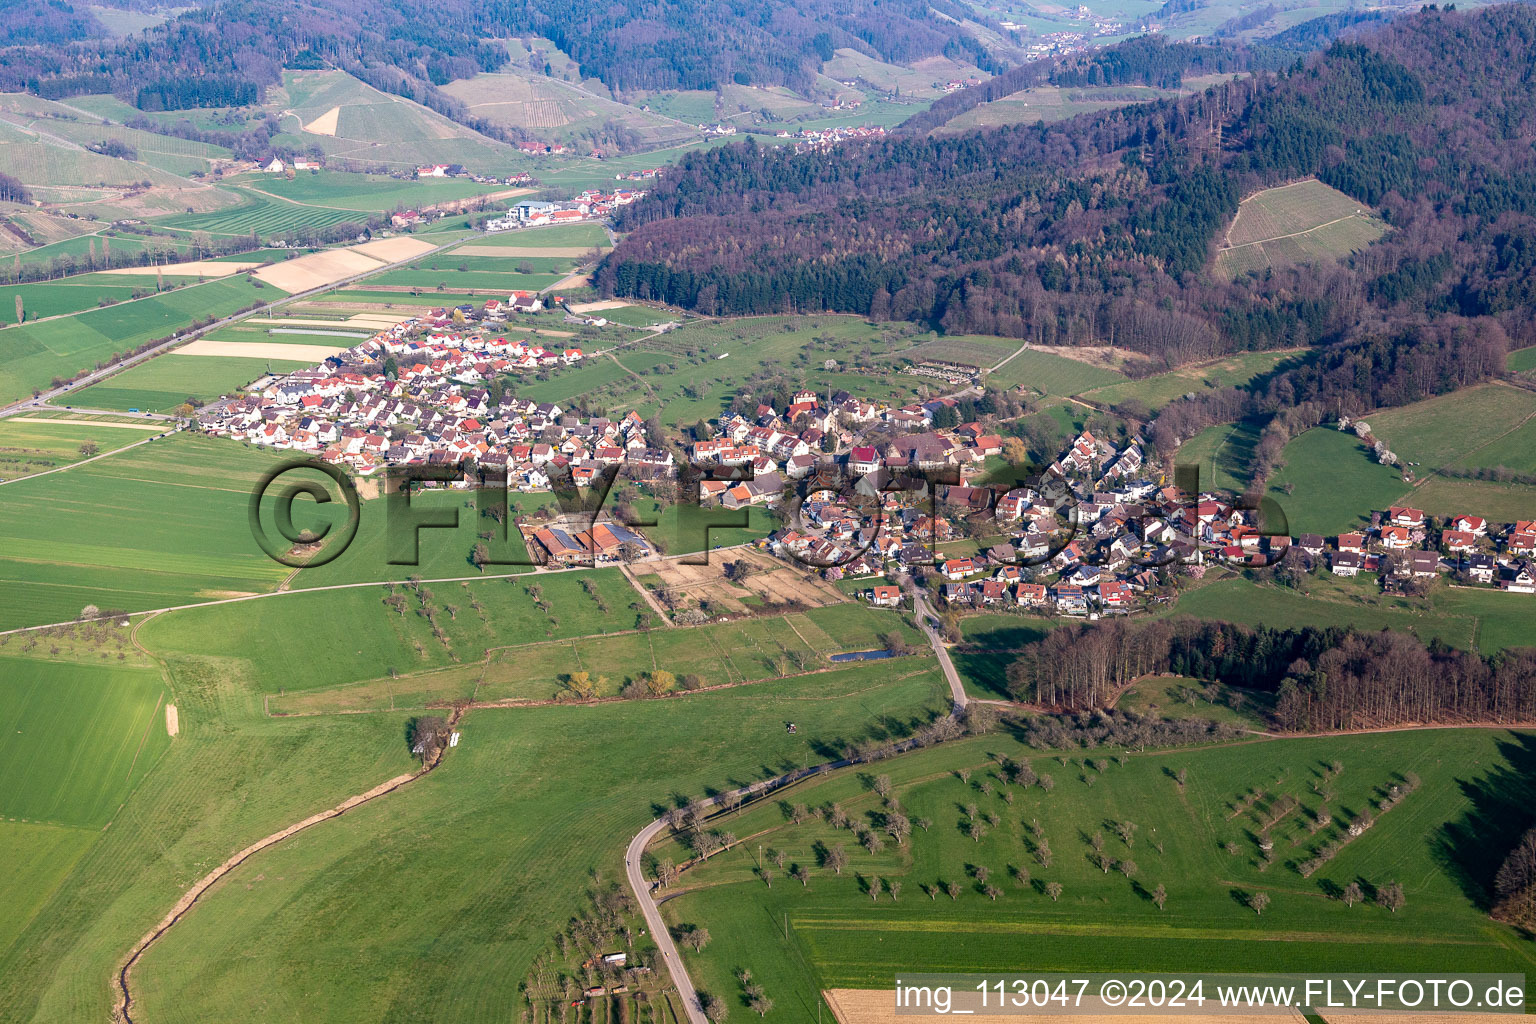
point(1305, 222)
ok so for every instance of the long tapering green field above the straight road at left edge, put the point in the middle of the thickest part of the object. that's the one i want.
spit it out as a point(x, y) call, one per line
point(65, 346)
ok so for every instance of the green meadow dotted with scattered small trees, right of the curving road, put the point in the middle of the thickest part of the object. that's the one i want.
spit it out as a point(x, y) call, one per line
point(1443, 845)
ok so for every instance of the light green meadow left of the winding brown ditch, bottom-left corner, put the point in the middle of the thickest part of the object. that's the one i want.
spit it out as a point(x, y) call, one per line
point(227, 781)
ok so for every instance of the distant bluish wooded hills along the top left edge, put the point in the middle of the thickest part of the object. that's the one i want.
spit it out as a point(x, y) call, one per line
point(231, 50)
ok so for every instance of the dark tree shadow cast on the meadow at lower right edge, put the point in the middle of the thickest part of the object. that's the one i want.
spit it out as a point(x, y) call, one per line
point(1503, 804)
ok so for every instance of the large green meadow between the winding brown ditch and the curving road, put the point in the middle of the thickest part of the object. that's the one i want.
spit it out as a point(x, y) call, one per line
point(525, 819)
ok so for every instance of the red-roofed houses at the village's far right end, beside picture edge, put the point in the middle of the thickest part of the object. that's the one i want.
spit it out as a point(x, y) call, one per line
point(1405, 544)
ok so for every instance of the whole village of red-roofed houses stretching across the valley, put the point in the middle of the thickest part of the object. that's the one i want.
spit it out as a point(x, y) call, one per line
point(856, 489)
